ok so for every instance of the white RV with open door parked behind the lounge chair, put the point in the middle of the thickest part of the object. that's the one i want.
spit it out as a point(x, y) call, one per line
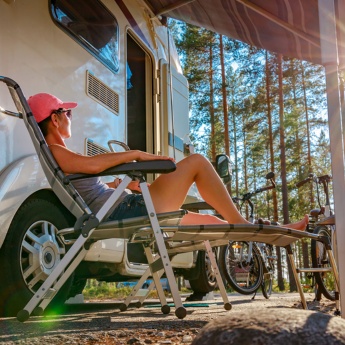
point(116, 59)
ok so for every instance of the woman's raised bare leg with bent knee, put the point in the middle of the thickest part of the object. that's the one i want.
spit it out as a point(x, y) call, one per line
point(168, 191)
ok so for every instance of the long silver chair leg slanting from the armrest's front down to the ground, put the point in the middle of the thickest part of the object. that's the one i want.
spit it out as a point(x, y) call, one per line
point(180, 311)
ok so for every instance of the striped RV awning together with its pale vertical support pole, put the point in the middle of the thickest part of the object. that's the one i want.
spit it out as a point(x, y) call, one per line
point(311, 30)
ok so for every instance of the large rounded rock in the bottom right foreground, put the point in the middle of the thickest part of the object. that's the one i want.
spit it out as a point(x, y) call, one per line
point(273, 326)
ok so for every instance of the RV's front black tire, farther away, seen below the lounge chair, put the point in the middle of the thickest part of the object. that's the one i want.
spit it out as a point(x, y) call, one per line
point(206, 280)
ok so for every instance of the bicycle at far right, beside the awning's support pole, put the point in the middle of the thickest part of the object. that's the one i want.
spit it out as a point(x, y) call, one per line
point(322, 222)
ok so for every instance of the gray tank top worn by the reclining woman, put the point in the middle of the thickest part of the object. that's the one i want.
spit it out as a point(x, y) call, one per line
point(95, 193)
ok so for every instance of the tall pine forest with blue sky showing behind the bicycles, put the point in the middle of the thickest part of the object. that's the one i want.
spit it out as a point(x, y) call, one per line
point(268, 113)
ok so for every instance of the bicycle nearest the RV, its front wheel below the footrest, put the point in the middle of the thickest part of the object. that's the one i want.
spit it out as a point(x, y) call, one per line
point(247, 266)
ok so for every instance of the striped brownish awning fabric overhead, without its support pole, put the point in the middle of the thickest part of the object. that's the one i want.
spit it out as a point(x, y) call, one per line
point(289, 27)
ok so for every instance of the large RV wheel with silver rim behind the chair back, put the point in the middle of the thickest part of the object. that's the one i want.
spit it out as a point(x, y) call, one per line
point(29, 253)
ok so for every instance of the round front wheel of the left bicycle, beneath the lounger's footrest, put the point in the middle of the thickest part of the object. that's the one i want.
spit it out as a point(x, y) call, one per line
point(242, 270)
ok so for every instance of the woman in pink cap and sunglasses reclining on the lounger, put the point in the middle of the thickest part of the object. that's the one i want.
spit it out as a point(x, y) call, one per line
point(168, 191)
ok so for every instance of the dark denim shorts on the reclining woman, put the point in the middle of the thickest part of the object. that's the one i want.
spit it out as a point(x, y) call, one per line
point(132, 205)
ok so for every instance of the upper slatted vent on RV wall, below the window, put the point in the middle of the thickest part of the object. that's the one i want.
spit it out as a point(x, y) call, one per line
point(102, 93)
